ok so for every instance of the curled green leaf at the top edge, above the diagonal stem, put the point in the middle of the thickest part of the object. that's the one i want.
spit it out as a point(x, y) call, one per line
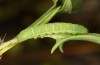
point(68, 6)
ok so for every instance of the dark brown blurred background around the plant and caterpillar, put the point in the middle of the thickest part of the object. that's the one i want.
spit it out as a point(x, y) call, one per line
point(16, 15)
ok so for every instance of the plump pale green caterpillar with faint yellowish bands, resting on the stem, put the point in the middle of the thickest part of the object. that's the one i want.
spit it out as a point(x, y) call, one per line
point(51, 28)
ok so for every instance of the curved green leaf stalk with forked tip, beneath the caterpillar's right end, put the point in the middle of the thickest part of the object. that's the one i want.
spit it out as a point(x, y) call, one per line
point(92, 37)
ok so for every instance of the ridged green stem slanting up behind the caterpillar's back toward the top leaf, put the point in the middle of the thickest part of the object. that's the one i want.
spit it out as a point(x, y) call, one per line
point(46, 17)
